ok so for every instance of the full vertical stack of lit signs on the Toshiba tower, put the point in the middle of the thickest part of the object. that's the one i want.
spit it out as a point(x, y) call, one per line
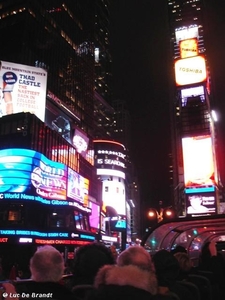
point(199, 166)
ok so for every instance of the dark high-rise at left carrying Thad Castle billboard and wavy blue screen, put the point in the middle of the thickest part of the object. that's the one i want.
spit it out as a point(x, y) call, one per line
point(56, 150)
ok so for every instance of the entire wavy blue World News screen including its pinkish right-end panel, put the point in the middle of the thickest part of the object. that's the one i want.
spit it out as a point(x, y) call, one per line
point(29, 175)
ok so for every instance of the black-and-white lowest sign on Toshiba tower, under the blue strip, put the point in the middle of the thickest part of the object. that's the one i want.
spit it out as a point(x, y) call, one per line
point(201, 204)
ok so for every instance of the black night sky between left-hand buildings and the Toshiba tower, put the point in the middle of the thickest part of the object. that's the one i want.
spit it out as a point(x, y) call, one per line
point(140, 48)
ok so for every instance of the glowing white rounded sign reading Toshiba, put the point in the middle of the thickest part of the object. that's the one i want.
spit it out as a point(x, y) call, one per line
point(190, 70)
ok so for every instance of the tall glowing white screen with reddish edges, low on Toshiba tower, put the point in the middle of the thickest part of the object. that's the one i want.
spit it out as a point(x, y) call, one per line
point(198, 161)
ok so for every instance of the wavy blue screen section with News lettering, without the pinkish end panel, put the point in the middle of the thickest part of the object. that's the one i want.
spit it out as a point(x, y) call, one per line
point(27, 174)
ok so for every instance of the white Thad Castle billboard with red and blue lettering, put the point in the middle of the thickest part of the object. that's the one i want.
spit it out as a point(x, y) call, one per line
point(23, 89)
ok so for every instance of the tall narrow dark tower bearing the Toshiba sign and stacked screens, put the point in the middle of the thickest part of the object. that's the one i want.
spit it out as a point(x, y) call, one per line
point(195, 167)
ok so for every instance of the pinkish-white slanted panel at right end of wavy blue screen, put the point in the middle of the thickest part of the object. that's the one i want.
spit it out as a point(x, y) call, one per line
point(78, 187)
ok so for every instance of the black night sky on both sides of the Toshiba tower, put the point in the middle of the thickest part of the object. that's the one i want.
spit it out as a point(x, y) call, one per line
point(142, 77)
